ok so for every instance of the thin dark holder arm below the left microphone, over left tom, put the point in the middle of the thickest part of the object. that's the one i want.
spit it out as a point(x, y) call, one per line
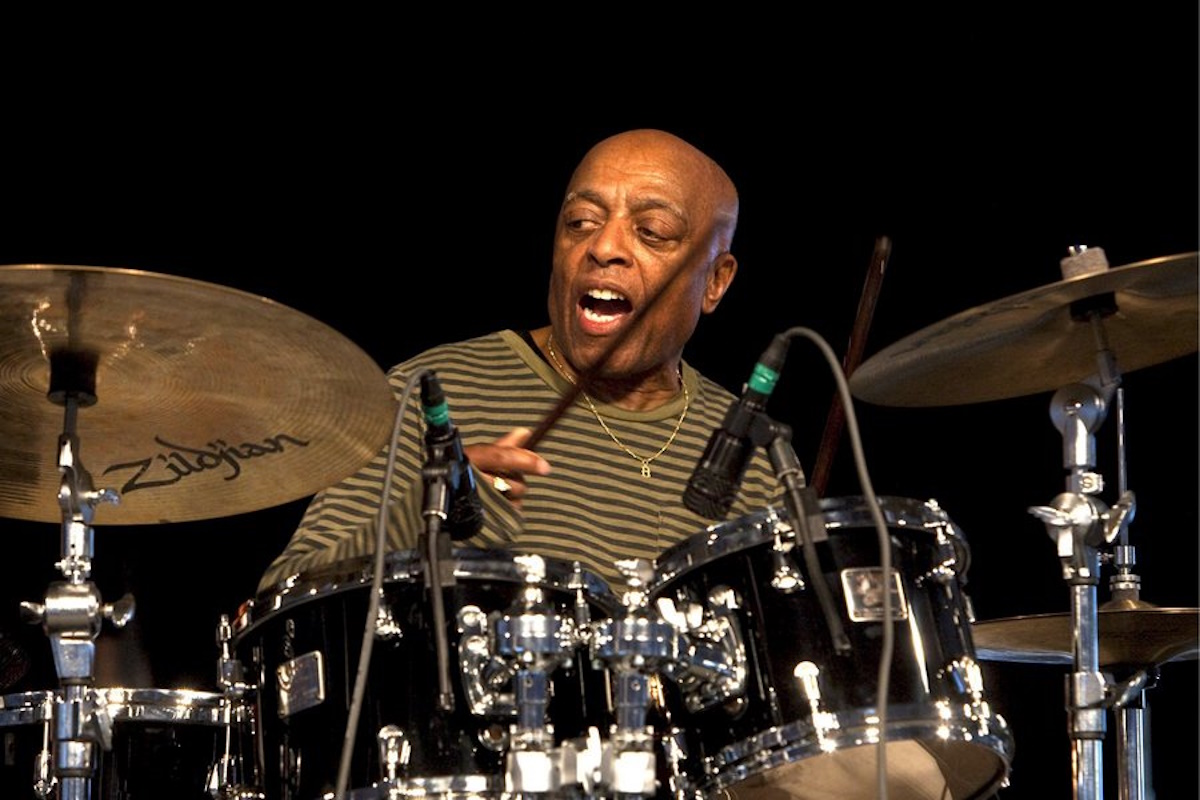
point(439, 486)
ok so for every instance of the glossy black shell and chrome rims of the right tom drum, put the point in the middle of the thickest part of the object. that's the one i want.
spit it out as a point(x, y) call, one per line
point(752, 738)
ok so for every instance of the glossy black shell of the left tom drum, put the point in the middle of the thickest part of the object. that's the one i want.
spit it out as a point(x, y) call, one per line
point(326, 613)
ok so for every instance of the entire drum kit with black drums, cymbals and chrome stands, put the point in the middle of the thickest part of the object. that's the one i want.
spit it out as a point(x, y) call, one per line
point(200, 401)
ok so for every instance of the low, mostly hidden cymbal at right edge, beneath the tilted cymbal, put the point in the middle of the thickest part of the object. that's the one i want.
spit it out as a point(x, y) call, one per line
point(1144, 636)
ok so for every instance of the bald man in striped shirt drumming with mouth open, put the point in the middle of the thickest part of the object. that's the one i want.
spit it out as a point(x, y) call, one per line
point(641, 252)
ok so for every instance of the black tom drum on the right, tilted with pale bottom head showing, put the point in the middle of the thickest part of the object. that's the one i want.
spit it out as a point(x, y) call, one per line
point(789, 712)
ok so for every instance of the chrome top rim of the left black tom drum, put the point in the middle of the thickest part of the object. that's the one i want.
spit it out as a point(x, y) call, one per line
point(401, 567)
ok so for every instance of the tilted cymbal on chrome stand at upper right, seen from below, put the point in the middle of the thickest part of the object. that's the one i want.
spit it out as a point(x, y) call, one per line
point(1030, 344)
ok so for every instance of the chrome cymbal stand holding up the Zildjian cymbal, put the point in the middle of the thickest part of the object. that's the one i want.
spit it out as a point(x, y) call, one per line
point(73, 612)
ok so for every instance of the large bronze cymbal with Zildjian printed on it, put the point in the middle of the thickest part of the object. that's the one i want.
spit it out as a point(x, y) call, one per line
point(208, 402)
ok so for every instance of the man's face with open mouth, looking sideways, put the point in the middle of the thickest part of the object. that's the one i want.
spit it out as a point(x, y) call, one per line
point(638, 222)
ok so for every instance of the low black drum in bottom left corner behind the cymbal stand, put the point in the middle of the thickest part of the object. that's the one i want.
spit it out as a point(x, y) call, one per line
point(165, 744)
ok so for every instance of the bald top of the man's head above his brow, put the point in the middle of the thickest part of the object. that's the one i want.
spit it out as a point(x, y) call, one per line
point(701, 178)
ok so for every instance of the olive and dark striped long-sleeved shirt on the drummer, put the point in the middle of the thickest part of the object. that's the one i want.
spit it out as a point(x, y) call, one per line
point(593, 509)
